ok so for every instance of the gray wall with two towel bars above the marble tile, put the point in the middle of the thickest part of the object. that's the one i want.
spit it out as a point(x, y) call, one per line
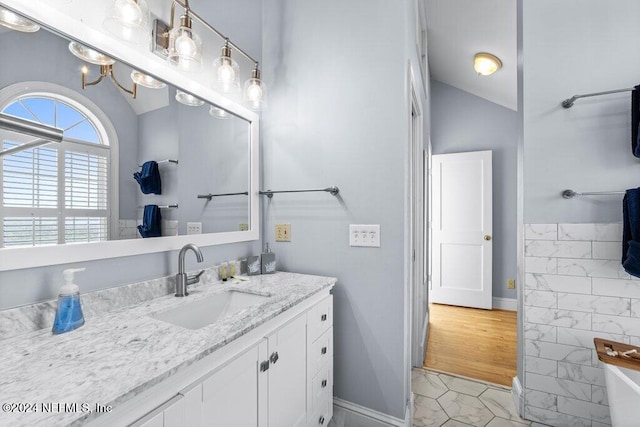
point(582, 47)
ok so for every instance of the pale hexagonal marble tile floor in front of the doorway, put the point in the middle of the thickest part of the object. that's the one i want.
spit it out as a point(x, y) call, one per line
point(443, 400)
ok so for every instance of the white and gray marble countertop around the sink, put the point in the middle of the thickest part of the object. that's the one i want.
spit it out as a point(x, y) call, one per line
point(120, 354)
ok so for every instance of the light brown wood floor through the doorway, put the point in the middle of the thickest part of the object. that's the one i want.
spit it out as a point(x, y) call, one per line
point(474, 343)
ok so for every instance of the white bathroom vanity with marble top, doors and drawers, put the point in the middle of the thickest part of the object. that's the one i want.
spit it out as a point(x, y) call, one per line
point(267, 362)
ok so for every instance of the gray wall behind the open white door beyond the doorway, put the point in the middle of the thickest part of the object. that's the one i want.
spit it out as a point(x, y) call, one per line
point(465, 122)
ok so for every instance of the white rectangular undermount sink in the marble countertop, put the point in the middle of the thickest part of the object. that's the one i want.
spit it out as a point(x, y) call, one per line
point(208, 310)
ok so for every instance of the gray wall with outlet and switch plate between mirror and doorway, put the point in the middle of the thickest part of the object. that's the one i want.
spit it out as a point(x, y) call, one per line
point(338, 115)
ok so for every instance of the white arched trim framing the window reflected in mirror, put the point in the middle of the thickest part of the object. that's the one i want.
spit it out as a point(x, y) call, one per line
point(98, 118)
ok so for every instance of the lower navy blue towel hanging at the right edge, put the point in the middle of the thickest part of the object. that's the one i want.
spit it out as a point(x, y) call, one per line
point(631, 232)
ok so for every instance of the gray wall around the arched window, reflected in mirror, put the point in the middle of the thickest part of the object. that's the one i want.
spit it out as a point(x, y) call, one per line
point(49, 60)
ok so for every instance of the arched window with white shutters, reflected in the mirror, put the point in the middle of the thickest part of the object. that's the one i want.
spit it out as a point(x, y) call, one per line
point(56, 193)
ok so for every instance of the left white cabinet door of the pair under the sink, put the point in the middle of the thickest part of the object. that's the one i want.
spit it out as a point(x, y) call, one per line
point(230, 395)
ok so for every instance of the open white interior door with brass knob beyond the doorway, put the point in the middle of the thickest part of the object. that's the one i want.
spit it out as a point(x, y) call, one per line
point(462, 229)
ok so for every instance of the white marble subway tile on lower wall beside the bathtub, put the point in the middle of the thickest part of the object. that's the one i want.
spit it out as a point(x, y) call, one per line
point(575, 289)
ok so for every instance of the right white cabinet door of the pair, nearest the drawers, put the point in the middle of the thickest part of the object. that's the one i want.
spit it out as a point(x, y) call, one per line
point(287, 375)
